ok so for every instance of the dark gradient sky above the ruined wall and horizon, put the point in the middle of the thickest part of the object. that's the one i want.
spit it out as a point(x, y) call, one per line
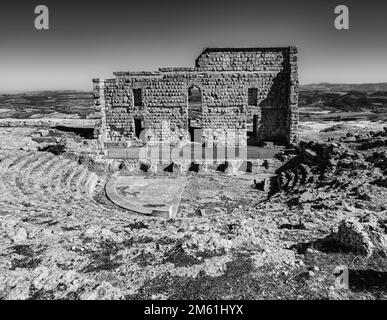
point(92, 39)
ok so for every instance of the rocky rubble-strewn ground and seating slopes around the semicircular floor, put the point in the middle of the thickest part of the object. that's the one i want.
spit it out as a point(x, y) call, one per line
point(61, 238)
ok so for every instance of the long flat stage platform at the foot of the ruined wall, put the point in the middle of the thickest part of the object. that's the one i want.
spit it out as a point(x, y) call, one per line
point(193, 152)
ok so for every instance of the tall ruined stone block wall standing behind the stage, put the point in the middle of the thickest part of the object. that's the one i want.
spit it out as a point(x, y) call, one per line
point(224, 77)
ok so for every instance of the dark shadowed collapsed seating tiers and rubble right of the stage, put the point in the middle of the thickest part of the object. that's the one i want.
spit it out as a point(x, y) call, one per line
point(329, 163)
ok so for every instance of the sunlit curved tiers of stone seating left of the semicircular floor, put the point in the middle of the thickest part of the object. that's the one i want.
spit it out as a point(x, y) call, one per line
point(45, 181)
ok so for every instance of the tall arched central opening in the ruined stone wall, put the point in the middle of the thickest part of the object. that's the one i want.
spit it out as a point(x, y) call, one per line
point(194, 112)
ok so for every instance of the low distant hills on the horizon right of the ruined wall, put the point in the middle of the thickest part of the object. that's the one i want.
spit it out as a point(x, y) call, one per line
point(337, 87)
